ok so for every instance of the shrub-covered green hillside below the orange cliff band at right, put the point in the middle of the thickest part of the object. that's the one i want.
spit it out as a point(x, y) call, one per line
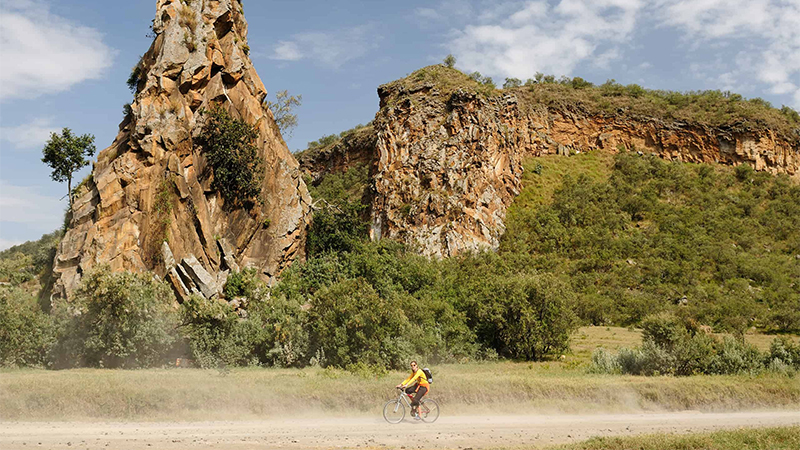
point(721, 244)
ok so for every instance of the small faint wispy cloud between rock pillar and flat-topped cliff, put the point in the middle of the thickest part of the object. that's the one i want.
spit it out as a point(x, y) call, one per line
point(331, 49)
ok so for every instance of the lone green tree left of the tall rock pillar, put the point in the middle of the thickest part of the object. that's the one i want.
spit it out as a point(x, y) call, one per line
point(66, 154)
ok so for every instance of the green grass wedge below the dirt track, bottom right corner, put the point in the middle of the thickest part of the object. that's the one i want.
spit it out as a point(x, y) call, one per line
point(784, 438)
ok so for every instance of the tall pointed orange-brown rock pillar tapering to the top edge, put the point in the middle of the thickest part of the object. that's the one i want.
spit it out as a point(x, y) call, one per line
point(153, 183)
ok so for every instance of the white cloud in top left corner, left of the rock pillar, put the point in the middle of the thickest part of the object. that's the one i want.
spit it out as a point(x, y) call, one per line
point(44, 54)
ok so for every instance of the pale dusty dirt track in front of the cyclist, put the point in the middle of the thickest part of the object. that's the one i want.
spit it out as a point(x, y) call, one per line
point(448, 432)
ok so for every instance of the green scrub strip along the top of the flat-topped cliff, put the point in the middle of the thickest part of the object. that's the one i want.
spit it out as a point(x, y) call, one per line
point(711, 108)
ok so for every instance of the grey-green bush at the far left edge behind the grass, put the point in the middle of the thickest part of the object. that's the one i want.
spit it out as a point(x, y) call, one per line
point(27, 334)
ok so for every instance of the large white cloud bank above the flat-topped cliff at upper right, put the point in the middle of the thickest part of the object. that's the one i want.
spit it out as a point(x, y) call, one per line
point(519, 38)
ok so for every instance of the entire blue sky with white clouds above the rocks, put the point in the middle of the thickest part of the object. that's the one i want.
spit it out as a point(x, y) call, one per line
point(63, 63)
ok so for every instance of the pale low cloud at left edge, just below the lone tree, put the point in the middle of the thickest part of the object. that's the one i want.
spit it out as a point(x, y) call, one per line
point(23, 205)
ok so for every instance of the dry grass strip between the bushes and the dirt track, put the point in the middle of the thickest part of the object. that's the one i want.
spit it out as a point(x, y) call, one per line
point(507, 387)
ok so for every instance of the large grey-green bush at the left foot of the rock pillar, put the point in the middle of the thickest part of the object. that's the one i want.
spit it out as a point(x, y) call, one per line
point(117, 320)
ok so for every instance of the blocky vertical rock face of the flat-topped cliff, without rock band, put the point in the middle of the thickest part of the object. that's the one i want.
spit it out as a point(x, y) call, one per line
point(446, 171)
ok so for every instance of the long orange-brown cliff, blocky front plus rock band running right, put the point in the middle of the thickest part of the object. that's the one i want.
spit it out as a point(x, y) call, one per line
point(448, 153)
